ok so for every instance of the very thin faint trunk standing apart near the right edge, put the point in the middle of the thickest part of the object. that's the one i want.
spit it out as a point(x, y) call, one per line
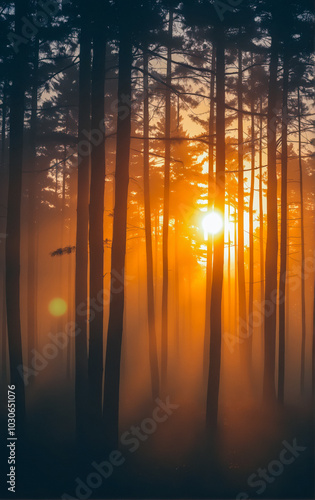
point(302, 254)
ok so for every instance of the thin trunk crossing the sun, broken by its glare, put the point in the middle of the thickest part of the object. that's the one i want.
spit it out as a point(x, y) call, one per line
point(210, 207)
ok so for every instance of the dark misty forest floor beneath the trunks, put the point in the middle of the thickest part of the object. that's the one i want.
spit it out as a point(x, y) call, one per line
point(174, 461)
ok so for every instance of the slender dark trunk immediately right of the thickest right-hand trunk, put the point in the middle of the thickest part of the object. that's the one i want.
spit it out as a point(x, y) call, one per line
point(283, 247)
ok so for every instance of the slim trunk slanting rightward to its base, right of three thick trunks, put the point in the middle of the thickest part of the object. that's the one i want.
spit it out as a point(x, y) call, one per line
point(148, 237)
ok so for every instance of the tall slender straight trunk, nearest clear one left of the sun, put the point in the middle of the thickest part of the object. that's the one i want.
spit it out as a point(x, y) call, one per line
point(164, 338)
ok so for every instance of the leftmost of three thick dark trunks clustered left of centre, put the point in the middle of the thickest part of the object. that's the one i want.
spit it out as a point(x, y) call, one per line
point(81, 260)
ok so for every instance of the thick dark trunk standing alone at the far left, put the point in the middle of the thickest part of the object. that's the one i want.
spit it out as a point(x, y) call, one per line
point(19, 71)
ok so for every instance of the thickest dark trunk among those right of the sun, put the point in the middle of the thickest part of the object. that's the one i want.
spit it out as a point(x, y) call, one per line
point(269, 390)
